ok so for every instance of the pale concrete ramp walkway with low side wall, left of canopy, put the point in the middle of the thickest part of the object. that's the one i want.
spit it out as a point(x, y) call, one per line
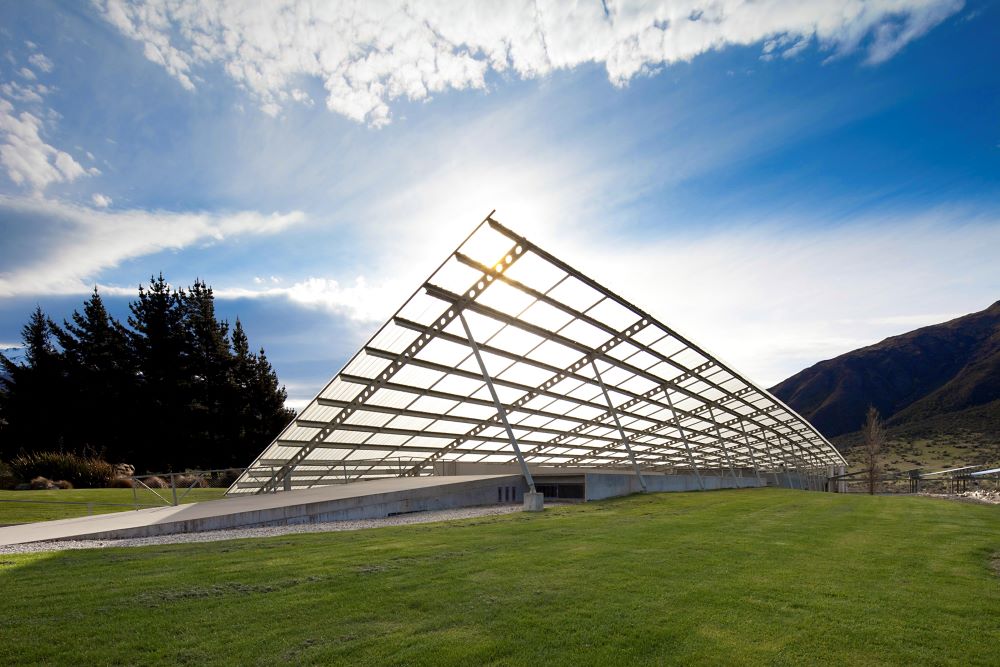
point(358, 500)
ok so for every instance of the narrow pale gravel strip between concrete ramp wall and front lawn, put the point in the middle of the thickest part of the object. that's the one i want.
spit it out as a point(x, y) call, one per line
point(238, 533)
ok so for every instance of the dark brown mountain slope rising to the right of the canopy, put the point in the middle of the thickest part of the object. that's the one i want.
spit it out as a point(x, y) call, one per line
point(943, 368)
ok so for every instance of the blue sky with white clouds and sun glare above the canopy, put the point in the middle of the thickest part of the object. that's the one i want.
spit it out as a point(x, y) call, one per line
point(781, 181)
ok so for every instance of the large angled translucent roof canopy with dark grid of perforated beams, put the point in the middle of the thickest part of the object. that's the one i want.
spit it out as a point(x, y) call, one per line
point(584, 378)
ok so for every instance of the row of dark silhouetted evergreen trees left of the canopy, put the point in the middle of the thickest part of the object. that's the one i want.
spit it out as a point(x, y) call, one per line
point(173, 389)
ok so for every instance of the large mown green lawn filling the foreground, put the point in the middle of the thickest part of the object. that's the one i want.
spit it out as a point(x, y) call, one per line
point(731, 577)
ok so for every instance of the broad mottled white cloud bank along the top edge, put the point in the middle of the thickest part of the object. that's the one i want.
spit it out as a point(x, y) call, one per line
point(367, 54)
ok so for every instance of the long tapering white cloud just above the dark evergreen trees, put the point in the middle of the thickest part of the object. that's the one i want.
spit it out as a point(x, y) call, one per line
point(90, 241)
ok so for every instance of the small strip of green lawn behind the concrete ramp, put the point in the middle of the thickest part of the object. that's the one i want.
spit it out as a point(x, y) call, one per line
point(25, 512)
